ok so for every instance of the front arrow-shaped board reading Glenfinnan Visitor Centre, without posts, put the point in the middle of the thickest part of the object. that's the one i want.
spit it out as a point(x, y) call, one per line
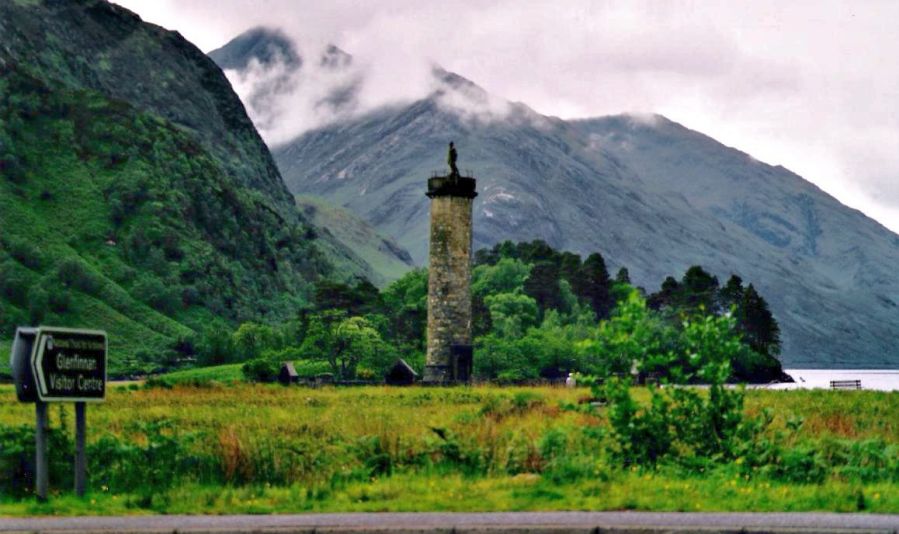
point(69, 365)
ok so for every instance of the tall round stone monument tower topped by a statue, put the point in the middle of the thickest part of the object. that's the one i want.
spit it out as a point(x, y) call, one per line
point(449, 357)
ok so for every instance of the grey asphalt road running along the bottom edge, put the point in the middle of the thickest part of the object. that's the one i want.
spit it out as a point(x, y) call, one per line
point(459, 523)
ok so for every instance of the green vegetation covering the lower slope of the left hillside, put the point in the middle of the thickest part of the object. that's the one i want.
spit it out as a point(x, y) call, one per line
point(130, 223)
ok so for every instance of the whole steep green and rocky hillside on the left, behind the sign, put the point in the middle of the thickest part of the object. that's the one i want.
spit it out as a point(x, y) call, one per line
point(136, 195)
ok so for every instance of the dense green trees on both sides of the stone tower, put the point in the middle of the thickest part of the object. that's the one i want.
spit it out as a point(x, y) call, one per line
point(538, 313)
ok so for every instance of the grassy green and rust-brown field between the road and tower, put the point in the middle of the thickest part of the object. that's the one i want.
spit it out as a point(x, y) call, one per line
point(265, 448)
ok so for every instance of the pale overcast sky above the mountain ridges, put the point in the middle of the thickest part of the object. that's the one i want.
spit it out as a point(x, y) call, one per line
point(812, 86)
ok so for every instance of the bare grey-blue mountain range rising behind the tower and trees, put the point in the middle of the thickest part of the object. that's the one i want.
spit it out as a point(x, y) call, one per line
point(648, 193)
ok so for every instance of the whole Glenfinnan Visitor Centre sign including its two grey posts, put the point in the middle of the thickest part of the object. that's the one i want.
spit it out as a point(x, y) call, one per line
point(59, 365)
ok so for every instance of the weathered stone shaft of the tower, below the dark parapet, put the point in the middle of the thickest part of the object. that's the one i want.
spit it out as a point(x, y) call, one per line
point(449, 282)
